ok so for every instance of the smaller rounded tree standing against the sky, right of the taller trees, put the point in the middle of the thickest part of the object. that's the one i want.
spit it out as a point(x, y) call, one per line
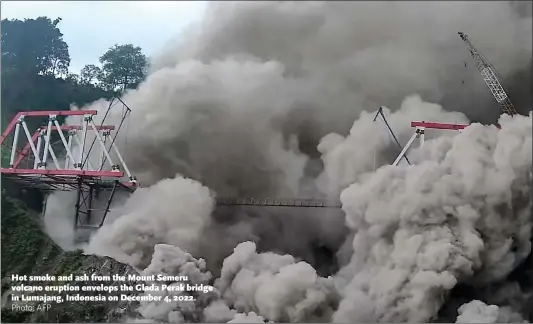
point(123, 67)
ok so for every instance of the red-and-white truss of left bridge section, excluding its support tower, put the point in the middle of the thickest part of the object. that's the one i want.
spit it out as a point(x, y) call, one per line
point(72, 166)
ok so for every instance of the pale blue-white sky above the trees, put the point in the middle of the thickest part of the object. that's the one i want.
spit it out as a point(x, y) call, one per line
point(91, 27)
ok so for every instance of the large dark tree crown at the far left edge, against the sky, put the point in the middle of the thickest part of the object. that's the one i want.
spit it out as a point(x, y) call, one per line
point(34, 46)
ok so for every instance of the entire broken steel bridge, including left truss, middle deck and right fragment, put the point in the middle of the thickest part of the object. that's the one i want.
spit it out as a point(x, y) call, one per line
point(109, 174)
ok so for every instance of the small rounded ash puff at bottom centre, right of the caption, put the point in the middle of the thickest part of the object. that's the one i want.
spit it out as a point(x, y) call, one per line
point(274, 286)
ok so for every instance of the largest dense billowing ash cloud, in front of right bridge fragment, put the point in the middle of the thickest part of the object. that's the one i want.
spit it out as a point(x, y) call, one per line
point(420, 229)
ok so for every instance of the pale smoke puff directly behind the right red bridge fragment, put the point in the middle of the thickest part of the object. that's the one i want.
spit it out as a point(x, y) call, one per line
point(367, 146)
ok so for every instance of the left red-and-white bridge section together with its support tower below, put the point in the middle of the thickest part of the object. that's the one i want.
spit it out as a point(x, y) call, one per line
point(39, 165)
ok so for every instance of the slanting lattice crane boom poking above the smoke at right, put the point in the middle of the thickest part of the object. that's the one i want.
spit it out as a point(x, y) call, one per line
point(490, 78)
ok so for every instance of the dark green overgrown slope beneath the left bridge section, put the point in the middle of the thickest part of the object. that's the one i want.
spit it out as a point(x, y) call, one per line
point(27, 250)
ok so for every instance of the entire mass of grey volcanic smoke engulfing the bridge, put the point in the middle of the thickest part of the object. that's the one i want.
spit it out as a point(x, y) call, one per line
point(278, 99)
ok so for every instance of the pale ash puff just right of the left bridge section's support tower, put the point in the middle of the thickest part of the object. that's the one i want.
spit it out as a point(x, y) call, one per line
point(173, 211)
